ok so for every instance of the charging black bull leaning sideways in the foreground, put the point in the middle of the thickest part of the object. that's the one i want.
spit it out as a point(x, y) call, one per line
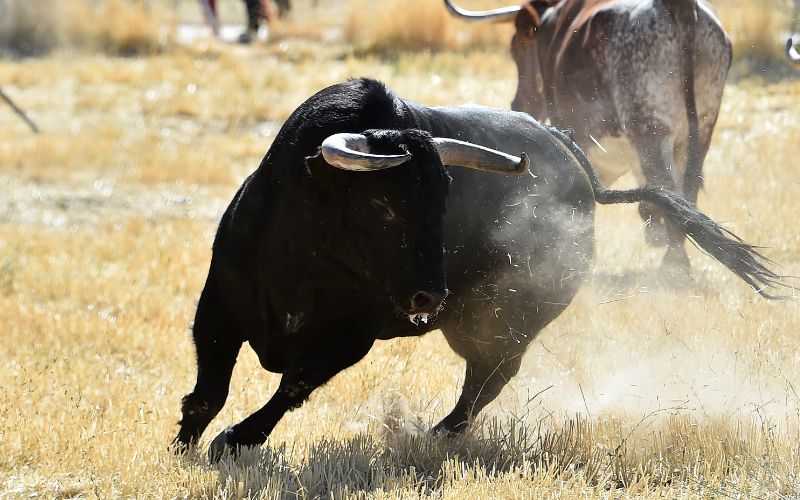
point(312, 264)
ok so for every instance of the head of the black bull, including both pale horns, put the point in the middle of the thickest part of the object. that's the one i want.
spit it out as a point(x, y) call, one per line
point(392, 234)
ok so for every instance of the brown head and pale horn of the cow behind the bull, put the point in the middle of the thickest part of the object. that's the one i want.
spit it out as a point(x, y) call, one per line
point(527, 18)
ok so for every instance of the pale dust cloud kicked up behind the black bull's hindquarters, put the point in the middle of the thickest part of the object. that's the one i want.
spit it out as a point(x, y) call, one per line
point(632, 345)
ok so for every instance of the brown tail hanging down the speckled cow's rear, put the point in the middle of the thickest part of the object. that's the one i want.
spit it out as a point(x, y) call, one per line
point(684, 14)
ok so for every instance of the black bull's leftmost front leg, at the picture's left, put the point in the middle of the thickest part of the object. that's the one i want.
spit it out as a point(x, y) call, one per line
point(216, 355)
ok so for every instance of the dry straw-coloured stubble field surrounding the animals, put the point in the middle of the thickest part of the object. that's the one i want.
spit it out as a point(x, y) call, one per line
point(106, 223)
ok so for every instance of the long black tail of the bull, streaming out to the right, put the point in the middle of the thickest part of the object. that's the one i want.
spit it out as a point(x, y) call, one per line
point(740, 257)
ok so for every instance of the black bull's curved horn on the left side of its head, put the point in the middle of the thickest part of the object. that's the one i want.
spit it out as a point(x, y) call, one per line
point(351, 152)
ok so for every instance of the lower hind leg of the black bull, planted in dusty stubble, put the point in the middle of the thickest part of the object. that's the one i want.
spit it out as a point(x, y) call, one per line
point(483, 381)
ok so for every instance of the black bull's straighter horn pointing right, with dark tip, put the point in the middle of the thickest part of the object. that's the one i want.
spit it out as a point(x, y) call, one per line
point(465, 154)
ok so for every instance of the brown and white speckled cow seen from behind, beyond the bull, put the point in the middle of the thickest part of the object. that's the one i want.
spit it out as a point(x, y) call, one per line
point(624, 68)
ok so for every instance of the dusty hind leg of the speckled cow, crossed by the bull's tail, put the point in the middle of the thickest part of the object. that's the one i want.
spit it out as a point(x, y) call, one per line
point(656, 155)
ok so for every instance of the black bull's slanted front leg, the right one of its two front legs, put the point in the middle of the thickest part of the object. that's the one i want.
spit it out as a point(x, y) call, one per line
point(310, 371)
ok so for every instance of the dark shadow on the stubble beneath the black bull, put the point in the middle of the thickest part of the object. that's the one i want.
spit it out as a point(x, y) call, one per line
point(364, 464)
